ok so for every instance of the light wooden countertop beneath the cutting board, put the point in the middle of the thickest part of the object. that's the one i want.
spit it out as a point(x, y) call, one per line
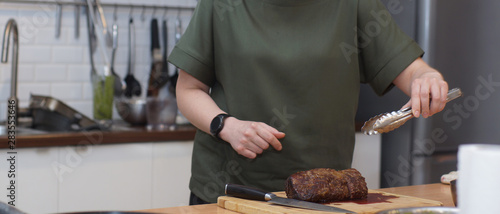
point(438, 192)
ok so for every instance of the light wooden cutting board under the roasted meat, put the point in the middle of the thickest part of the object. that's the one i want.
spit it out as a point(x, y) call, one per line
point(376, 201)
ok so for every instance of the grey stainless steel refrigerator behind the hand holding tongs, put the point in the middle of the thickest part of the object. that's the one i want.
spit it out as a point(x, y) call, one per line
point(461, 39)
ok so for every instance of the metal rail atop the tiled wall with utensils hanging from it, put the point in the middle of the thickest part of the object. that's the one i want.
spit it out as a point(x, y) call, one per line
point(64, 3)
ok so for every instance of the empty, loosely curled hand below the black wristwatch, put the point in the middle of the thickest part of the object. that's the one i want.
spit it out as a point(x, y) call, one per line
point(250, 138)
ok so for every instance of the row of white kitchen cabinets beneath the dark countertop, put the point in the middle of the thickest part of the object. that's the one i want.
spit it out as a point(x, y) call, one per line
point(102, 177)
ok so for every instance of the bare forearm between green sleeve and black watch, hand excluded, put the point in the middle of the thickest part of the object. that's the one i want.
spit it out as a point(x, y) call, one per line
point(195, 103)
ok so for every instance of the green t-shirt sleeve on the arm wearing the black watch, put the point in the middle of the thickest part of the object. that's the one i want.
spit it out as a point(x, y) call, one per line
point(194, 51)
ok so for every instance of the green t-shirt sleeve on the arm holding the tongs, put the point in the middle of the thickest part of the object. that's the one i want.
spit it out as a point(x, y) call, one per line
point(384, 50)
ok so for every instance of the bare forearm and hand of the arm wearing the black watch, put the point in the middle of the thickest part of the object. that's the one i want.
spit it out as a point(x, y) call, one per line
point(247, 138)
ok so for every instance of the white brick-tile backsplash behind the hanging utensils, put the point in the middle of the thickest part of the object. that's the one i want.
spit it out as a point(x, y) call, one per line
point(60, 67)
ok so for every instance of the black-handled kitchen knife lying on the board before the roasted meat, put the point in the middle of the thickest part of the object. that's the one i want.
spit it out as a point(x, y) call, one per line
point(260, 195)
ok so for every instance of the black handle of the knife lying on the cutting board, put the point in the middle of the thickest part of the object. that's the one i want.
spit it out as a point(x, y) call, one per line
point(245, 192)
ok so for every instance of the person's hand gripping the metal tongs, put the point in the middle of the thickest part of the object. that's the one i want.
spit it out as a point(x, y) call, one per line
point(428, 94)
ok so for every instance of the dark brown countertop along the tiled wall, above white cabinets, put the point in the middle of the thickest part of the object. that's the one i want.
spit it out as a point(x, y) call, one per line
point(120, 134)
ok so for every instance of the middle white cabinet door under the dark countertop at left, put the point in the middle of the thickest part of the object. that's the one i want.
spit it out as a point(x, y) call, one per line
point(105, 177)
